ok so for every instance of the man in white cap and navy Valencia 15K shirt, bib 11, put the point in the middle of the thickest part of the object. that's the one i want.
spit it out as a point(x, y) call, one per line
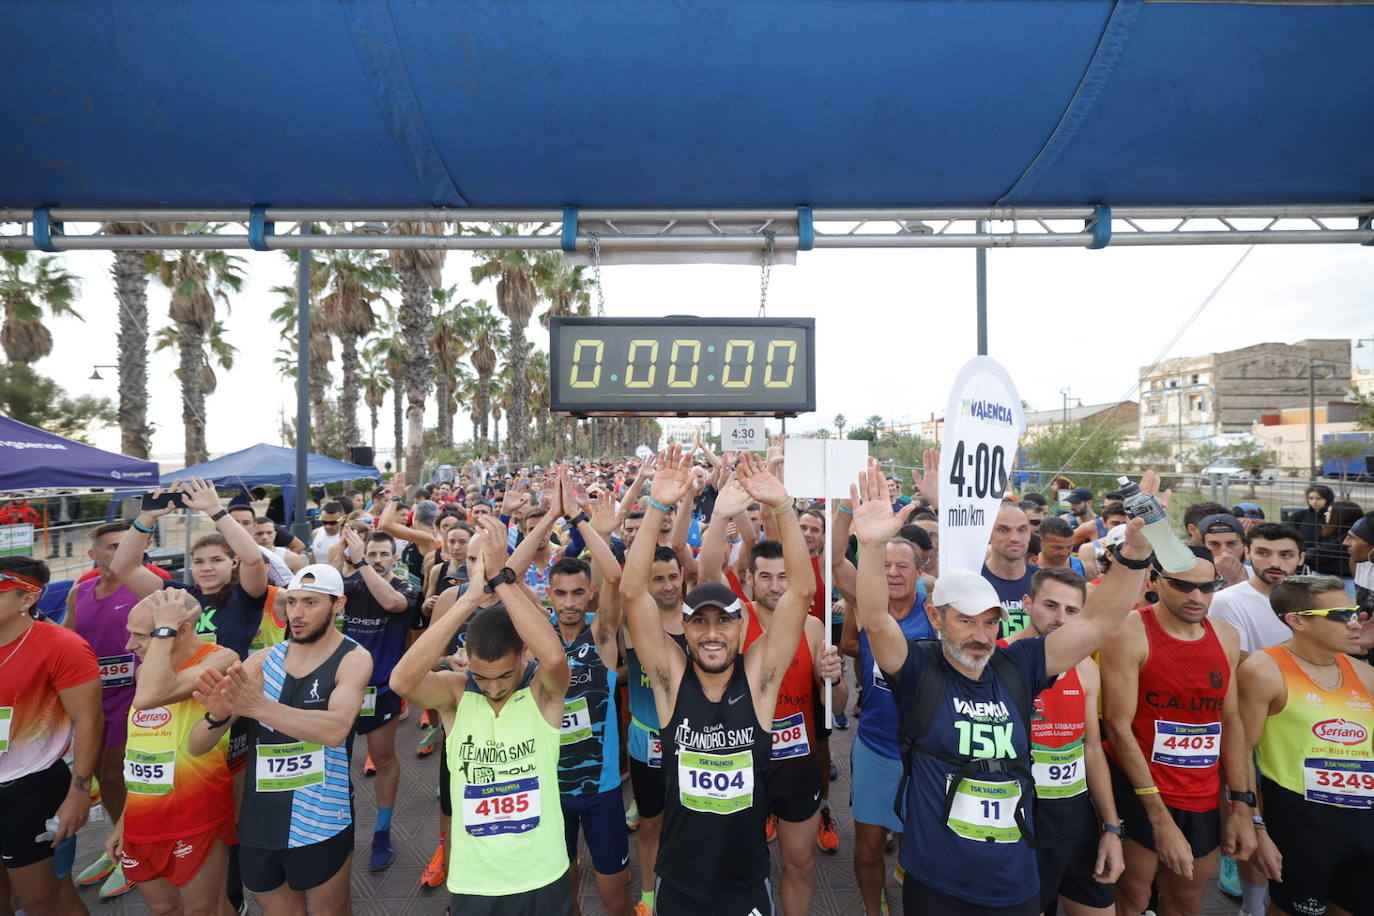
point(967, 707)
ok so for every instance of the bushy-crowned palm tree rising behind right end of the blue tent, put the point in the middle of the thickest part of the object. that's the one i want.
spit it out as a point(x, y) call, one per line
point(352, 282)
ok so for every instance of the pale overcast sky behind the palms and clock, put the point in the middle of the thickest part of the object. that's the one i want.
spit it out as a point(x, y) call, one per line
point(892, 326)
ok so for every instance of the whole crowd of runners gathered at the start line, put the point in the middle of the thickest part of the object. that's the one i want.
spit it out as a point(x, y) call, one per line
point(1070, 729)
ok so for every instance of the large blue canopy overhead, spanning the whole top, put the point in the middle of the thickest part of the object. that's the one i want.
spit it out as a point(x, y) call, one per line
point(688, 104)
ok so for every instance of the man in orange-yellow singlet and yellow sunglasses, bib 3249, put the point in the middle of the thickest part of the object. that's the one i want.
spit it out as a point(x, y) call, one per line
point(1309, 713)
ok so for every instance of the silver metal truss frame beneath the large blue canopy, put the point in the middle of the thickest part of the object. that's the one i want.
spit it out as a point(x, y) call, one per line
point(728, 230)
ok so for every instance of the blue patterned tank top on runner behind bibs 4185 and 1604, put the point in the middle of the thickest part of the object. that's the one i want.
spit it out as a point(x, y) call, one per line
point(589, 757)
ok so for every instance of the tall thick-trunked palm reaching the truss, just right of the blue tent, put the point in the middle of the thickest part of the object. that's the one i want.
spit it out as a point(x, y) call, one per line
point(420, 271)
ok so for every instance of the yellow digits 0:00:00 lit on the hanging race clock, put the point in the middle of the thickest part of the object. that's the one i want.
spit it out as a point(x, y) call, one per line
point(684, 369)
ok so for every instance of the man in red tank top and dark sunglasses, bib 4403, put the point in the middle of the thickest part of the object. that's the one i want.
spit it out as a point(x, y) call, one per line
point(1174, 733)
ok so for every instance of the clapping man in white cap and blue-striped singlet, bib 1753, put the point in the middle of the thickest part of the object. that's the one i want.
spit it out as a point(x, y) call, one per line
point(302, 697)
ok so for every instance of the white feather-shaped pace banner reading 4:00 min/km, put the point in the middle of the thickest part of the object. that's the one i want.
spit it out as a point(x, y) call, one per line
point(983, 426)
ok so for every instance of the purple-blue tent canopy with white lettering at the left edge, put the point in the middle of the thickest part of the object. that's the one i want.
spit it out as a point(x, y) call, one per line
point(32, 458)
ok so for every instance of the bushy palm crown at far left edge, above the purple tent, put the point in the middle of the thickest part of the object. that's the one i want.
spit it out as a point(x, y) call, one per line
point(27, 288)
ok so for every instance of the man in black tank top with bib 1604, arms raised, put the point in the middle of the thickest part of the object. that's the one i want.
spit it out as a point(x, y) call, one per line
point(717, 708)
